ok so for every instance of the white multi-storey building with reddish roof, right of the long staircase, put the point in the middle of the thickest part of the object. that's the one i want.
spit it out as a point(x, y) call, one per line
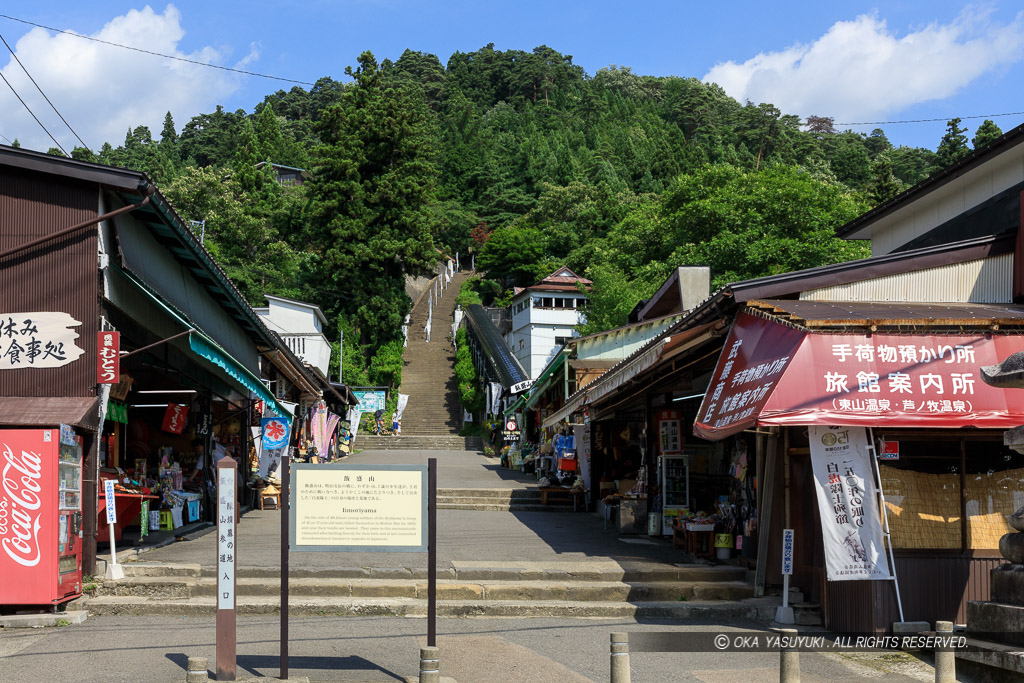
point(544, 318)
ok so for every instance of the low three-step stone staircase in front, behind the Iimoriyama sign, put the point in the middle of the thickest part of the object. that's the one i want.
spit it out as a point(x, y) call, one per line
point(574, 590)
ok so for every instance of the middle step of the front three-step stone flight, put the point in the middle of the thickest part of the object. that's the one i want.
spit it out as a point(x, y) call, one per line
point(447, 590)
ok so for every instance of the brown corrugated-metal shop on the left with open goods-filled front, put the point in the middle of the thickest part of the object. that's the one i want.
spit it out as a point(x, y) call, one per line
point(120, 326)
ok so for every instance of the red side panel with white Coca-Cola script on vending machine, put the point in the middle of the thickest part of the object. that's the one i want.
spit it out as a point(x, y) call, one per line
point(28, 516)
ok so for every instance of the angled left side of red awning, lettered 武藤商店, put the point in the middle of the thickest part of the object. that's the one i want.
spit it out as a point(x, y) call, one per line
point(755, 357)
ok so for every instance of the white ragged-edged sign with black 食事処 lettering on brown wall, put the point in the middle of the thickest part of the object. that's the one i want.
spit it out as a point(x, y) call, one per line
point(38, 340)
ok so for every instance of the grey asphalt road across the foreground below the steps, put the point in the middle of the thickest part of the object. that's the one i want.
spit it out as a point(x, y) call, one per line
point(144, 650)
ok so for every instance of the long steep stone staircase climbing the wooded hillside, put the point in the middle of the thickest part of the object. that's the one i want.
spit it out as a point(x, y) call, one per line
point(429, 376)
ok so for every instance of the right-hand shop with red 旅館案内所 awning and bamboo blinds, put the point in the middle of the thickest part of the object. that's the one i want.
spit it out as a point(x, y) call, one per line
point(910, 376)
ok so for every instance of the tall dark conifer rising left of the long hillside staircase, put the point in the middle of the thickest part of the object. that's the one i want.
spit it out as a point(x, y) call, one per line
point(371, 197)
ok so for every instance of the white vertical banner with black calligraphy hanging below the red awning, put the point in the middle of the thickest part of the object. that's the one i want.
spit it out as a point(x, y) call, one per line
point(851, 525)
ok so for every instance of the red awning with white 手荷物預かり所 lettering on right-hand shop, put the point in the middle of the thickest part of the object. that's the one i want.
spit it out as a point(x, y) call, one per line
point(775, 373)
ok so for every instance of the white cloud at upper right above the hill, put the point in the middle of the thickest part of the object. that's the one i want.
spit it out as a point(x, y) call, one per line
point(860, 70)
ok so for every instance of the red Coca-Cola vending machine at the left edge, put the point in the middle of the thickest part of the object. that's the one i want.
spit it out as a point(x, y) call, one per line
point(40, 517)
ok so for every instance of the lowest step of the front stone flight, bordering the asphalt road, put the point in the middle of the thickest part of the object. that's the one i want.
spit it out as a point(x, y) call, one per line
point(761, 610)
